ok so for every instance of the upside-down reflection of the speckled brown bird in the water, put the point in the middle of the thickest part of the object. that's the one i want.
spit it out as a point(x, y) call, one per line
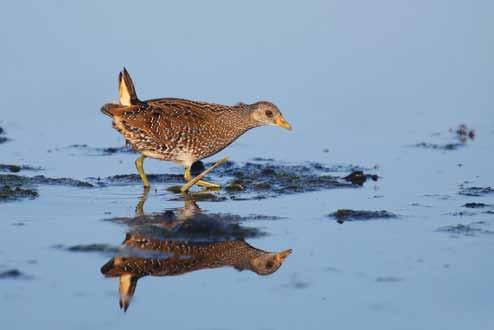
point(146, 255)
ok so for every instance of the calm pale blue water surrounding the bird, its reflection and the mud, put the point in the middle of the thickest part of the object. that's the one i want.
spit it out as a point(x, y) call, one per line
point(364, 80)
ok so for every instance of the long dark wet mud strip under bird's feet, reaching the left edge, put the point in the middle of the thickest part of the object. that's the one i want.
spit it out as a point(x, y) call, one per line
point(249, 181)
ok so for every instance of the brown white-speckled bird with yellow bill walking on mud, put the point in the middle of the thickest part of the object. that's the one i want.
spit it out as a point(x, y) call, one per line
point(183, 131)
